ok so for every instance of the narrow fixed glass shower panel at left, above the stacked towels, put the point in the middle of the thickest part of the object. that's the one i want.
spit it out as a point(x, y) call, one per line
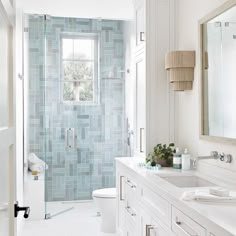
point(34, 93)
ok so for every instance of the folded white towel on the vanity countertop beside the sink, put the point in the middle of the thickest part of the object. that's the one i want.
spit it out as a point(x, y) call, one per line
point(201, 195)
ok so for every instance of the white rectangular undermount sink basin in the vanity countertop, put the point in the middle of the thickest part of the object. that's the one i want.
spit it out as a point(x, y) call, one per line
point(187, 181)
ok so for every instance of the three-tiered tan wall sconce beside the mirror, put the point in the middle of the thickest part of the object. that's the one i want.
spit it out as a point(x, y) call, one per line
point(181, 65)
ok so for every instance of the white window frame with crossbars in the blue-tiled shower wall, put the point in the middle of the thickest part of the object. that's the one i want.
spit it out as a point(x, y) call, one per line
point(96, 87)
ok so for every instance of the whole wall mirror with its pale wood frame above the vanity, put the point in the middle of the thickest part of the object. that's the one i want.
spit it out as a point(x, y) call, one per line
point(218, 74)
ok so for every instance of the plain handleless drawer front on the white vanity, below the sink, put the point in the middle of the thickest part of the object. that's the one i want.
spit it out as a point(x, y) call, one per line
point(160, 207)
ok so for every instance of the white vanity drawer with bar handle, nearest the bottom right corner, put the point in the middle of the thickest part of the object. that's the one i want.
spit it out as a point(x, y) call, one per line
point(182, 225)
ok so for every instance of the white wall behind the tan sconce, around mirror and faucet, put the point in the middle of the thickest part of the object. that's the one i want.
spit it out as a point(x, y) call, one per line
point(187, 103)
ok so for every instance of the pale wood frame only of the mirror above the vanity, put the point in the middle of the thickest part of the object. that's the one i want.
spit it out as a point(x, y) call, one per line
point(226, 6)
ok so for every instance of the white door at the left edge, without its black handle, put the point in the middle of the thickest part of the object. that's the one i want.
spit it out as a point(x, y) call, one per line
point(7, 128)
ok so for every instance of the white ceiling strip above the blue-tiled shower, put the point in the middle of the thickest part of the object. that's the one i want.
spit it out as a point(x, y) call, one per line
point(107, 9)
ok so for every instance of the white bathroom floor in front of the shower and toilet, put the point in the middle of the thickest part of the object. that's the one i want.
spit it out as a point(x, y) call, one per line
point(80, 221)
